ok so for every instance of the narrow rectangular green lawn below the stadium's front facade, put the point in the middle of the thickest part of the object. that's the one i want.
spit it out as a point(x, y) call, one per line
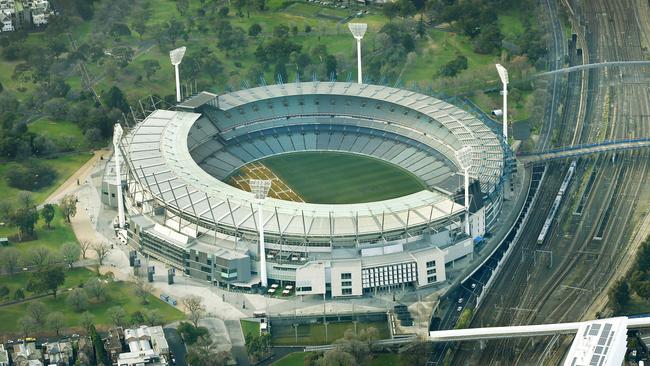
point(314, 334)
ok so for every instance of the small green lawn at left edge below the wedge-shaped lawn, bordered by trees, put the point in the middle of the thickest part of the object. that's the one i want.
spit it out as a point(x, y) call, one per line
point(52, 238)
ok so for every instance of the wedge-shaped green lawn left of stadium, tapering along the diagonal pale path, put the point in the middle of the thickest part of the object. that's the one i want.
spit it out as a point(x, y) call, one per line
point(65, 166)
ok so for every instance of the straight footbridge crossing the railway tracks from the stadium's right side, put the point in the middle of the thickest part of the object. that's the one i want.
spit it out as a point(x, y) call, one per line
point(576, 151)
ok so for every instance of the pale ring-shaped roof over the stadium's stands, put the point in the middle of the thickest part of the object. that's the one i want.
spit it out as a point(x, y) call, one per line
point(158, 154)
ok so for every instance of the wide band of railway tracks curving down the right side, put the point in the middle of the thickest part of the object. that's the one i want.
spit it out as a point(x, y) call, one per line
point(558, 280)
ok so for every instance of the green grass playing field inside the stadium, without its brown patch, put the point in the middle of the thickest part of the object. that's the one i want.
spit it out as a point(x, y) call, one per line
point(331, 177)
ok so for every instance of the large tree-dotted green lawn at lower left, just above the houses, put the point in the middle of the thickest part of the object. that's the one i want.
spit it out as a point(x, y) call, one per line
point(119, 294)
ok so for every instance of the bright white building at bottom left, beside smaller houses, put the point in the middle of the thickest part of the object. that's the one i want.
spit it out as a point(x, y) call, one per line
point(147, 346)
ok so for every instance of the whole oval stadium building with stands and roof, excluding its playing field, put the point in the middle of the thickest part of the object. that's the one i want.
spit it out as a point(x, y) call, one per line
point(181, 211)
